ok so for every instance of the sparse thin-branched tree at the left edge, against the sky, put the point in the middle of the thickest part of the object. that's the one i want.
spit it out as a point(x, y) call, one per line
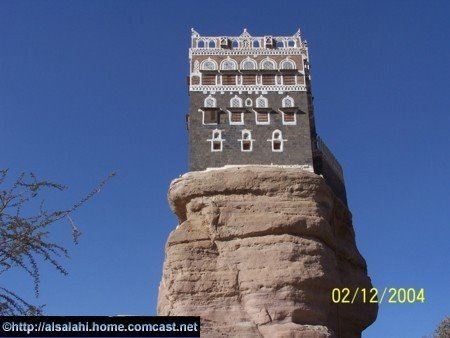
point(24, 238)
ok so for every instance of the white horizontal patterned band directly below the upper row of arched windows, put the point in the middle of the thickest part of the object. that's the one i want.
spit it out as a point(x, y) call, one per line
point(246, 88)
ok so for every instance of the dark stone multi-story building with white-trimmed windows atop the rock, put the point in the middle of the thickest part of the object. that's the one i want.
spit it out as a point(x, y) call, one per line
point(251, 103)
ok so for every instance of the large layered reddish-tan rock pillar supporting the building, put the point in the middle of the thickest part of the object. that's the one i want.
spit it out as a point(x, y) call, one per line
point(257, 252)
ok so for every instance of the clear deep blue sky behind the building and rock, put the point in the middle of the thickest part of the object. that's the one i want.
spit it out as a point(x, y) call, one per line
point(87, 87)
